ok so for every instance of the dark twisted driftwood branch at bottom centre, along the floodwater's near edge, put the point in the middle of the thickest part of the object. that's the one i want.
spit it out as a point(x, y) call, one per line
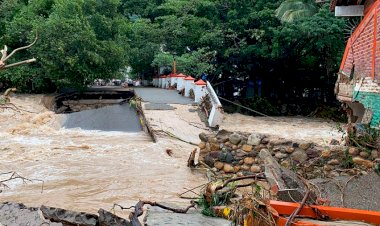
point(138, 210)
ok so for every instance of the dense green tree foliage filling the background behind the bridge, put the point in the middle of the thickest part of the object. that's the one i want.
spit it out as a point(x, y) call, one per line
point(285, 51)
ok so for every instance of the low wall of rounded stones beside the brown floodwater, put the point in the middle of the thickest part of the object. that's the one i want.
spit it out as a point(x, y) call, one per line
point(237, 153)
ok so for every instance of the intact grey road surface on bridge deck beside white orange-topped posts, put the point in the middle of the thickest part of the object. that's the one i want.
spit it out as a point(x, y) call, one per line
point(161, 96)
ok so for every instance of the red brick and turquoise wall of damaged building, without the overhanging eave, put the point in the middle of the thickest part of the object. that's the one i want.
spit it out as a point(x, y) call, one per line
point(363, 51)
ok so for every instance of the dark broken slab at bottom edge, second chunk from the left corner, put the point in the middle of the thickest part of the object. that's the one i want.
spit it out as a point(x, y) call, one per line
point(68, 217)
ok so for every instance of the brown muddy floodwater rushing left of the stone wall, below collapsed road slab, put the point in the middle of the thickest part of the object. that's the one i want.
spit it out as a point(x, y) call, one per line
point(85, 170)
